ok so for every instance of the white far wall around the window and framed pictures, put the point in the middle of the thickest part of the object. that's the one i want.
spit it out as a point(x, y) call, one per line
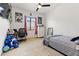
point(15, 25)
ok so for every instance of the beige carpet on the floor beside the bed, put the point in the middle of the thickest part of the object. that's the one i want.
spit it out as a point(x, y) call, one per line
point(32, 47)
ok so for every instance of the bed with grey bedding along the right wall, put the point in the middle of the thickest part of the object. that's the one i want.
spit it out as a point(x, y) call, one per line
point(63, 44)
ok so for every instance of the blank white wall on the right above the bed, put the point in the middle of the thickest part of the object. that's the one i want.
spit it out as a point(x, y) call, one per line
point(64, 19)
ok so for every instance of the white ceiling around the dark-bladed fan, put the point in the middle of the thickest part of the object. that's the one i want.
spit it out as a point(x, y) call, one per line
point(32, 7)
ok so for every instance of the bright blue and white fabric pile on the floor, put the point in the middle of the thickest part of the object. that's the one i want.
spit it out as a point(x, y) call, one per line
point(10, 43)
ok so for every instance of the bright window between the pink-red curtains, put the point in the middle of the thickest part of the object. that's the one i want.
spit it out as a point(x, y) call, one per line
point(30, 23)
